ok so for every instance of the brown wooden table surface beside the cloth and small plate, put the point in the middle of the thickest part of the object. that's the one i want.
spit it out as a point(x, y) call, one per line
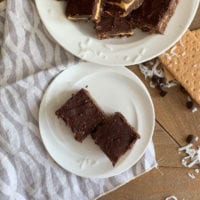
point(173, 124)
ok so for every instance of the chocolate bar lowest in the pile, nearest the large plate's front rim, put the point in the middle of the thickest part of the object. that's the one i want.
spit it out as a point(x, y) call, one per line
point(112, 25)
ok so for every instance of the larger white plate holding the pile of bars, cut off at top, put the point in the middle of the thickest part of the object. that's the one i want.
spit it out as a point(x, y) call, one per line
point(80, 39)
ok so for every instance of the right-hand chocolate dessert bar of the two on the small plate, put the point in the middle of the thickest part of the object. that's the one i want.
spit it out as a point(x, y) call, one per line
point(115, 137)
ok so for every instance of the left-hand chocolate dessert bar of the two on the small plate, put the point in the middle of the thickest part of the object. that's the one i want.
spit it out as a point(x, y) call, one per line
point(81, 114)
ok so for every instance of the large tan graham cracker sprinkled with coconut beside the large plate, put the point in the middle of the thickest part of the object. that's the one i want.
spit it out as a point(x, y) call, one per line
point(183, 61)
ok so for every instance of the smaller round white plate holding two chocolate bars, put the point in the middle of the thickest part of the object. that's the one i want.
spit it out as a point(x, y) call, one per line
point(114, 89)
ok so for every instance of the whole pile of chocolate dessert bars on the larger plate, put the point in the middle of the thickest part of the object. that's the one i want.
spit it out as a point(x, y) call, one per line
point(120, 17)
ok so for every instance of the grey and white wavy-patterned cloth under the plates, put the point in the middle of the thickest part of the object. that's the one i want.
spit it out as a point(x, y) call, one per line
point(29, 60)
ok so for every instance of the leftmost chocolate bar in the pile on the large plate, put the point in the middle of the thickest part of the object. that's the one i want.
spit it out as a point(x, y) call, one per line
point(83, 9)
